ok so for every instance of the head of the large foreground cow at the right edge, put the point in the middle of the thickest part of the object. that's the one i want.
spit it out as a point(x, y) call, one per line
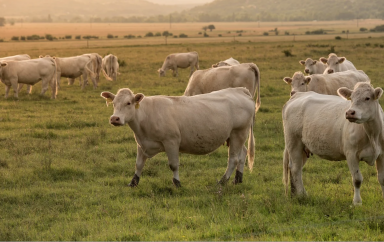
point(364, 102)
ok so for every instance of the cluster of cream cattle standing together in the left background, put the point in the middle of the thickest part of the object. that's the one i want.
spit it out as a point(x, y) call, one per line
point(18, 70)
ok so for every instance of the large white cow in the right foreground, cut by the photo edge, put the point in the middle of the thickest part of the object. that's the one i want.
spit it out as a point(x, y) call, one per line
point(334, 128)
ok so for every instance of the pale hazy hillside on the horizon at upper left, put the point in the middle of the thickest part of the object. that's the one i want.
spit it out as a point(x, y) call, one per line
point(78, 9)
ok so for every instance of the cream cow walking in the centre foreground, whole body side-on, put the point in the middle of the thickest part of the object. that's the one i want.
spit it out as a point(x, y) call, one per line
point(194, 125)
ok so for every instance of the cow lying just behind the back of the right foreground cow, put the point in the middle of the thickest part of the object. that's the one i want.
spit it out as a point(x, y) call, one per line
point(325, 84)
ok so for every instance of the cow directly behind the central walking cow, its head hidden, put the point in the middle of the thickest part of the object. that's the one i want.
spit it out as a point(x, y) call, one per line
point(243, 75)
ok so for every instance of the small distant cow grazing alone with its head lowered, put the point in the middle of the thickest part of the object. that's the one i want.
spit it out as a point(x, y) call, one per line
point(180, 60)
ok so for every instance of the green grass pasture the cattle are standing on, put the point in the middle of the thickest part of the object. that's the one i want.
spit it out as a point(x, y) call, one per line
point(64, 170)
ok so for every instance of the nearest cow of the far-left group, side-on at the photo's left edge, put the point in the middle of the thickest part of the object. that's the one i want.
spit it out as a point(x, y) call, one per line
point(29, 72)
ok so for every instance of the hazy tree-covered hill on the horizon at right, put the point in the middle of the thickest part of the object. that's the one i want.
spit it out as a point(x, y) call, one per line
point(287, 10)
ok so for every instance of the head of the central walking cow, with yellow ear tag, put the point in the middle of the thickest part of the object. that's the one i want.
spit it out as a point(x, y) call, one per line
point(125, 104)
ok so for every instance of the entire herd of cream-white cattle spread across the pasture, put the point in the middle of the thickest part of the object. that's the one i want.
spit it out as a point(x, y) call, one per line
point(333, 112)
